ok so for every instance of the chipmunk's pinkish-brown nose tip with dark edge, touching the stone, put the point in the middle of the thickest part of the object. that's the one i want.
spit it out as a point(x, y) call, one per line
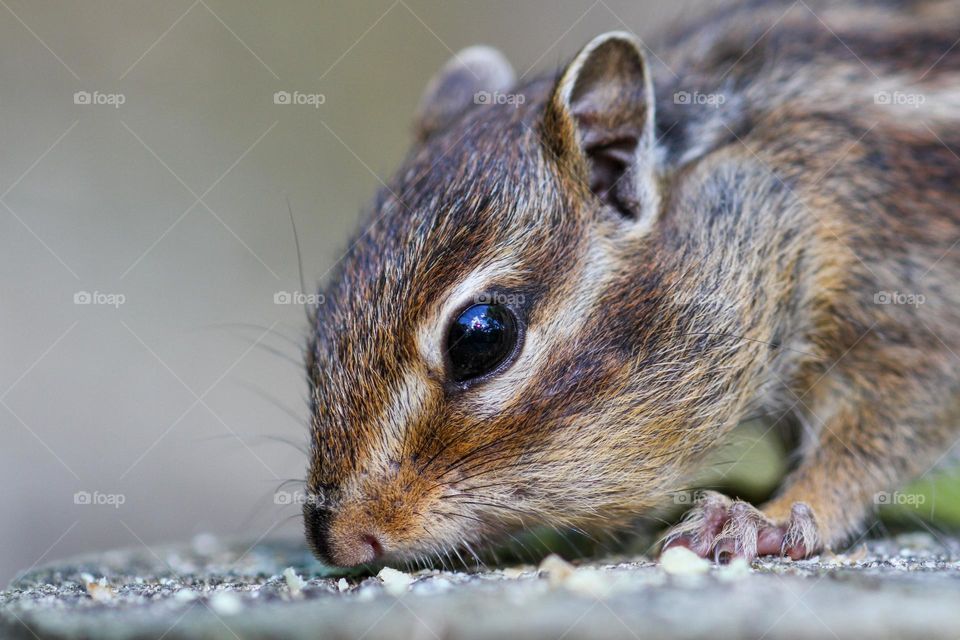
point(337, 542)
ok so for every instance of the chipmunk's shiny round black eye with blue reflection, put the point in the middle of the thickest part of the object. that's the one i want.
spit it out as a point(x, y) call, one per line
point(480, 340)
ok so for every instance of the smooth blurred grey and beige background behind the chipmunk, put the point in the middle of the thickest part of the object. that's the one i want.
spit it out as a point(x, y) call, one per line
point(150, 355)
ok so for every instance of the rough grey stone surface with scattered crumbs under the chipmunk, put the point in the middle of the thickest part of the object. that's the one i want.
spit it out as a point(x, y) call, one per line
point(906, 587)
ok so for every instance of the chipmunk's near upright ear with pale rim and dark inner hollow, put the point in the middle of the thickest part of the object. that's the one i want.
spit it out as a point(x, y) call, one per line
point(600, 123)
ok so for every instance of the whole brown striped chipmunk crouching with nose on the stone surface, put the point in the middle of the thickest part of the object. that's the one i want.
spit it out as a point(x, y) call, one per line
point(577, 285)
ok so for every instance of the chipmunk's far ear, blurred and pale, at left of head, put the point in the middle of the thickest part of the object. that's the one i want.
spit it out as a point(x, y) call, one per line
point(468, 78)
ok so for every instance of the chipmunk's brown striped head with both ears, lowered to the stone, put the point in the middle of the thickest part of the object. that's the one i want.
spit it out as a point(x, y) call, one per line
point(494, 350)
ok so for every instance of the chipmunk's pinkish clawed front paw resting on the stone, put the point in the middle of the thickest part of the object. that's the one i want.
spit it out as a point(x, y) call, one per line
point(721, 529)
